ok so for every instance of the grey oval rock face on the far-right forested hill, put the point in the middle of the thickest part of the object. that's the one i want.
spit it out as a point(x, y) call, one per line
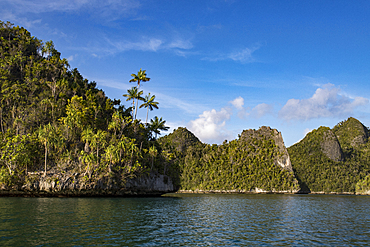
point(331, 147)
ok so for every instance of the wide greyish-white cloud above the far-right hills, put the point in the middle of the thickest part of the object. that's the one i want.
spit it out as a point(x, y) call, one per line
point(326, 102)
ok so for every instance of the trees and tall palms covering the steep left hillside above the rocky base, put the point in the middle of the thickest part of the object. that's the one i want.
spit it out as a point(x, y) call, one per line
point(52, 120)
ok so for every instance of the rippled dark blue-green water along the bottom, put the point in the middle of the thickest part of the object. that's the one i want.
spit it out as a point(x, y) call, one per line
point(187, 220)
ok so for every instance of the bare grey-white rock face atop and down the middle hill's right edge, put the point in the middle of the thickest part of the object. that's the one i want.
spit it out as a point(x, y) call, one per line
point(274, 134)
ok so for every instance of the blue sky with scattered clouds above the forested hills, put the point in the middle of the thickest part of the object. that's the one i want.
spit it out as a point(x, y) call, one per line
point(218, 67)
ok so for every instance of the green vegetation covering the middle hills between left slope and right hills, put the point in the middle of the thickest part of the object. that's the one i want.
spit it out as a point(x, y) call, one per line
point(236, 165)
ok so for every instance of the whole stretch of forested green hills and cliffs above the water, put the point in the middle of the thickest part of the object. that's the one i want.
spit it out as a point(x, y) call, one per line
point(62, 136)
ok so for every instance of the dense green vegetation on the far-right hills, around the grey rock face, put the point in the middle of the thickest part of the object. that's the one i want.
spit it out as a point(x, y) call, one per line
point(317, 172)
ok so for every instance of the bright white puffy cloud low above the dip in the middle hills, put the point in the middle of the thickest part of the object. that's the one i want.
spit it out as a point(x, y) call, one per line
point(209, 127)
